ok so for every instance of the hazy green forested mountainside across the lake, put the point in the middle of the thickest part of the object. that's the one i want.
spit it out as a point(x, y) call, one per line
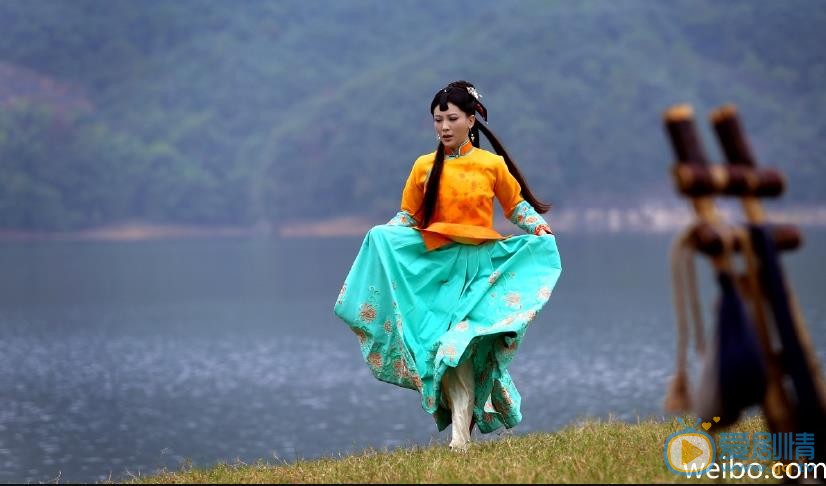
point(238, 112)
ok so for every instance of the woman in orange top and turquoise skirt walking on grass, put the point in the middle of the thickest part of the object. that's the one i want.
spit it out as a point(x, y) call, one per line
point(438, 299)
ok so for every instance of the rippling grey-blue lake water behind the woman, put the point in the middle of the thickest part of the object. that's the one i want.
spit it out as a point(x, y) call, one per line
point(122, 358)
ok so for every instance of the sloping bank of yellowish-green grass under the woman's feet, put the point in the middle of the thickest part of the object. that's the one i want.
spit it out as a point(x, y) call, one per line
point(594, 451)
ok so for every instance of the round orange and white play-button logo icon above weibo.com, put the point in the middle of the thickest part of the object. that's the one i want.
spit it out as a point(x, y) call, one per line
point(689, 450)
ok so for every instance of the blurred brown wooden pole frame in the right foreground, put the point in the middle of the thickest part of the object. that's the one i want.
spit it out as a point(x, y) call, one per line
point(794, 397)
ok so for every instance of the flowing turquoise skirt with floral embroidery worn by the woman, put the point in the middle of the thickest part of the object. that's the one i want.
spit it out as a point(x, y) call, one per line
point(417, 312)
